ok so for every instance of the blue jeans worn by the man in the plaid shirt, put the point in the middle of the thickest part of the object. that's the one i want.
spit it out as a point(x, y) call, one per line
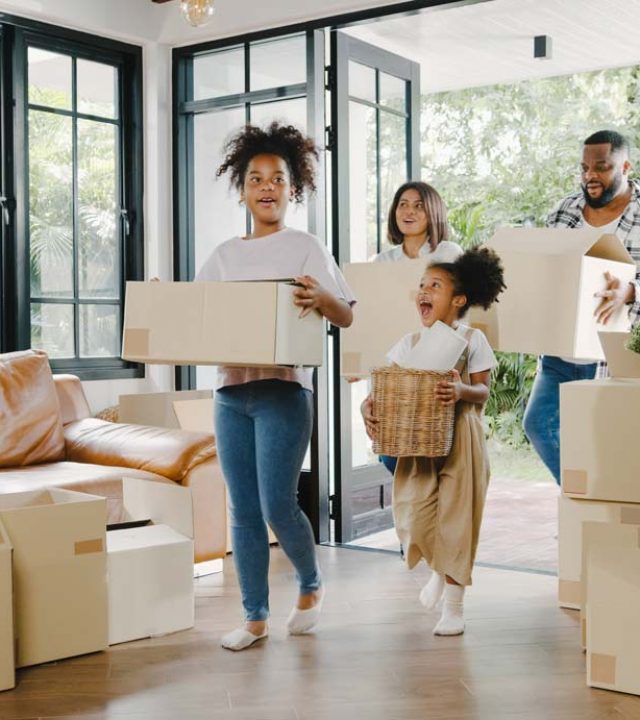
point(542, 416)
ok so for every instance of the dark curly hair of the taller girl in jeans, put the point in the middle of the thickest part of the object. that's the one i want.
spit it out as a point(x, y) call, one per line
point(285, 141)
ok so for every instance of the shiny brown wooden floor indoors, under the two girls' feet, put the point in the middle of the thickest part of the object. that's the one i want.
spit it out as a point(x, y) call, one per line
point(373, 657)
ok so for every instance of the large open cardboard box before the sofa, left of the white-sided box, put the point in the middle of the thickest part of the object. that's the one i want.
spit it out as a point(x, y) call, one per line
point(59, 573)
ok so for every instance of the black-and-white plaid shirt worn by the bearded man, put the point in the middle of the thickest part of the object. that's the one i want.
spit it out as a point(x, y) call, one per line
point(568, 213)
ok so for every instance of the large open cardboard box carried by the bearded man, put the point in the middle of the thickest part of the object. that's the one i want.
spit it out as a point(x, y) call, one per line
point(552, 275)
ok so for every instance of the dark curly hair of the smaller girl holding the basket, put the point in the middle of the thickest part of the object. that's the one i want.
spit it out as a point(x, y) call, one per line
point(478, 274)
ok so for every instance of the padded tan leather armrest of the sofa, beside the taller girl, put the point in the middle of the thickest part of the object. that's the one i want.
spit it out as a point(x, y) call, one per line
point(167, 452)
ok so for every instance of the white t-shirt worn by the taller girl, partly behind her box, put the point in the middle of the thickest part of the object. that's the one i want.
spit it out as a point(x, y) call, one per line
point(282, 255)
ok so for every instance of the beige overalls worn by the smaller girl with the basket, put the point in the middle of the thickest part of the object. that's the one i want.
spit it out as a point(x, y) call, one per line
point(438, 502)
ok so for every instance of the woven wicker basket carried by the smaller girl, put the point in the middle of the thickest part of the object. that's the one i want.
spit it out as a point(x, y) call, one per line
point(411, 421)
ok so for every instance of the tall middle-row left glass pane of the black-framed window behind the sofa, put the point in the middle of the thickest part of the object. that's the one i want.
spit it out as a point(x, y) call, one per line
point(50, 204)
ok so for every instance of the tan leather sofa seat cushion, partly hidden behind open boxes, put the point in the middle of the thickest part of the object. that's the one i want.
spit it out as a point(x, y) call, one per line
point(81, 477)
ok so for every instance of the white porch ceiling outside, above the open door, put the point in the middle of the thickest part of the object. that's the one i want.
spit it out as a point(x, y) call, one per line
point(492, 42)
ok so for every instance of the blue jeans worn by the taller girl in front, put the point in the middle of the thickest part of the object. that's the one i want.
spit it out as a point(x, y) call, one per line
point(262, 432)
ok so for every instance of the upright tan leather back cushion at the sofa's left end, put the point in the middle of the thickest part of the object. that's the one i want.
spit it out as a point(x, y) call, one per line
point(30, 425)
